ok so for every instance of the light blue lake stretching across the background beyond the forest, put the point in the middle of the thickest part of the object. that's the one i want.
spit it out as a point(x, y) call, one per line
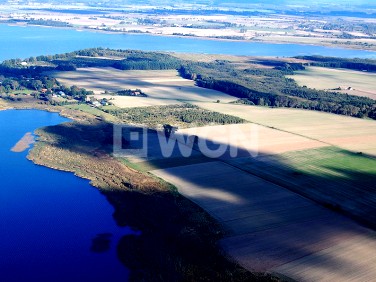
point(23, 42)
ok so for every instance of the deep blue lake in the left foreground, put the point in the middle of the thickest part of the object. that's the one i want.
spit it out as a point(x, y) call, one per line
point(49, 218)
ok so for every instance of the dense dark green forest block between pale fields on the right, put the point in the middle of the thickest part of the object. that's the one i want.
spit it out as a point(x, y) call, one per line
point(270, 87)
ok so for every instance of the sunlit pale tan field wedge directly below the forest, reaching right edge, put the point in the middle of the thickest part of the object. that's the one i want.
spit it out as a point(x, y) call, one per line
point(354, 134)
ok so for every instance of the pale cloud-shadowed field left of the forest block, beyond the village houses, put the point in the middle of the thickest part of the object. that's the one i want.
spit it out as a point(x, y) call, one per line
point(165, 87)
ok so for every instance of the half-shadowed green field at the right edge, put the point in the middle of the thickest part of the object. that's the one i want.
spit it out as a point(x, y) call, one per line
point(337, 178)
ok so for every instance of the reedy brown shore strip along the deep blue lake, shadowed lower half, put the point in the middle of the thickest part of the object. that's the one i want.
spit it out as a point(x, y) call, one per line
point(140, 200)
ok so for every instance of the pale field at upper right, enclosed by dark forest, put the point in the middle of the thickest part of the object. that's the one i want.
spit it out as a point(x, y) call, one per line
point(361, 83)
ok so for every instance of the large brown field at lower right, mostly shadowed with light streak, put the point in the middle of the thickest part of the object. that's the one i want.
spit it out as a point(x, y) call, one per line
point(275, 230)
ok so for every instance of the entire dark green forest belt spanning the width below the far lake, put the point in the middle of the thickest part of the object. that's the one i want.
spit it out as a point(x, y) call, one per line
point(252, 85)
